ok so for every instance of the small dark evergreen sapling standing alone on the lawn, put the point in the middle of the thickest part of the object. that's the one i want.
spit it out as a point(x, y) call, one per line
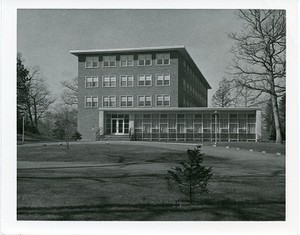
point(191, 177)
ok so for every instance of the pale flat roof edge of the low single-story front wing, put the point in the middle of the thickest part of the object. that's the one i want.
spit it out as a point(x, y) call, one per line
point(182, 109)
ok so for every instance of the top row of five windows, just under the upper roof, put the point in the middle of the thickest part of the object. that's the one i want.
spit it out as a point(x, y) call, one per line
point(127, 60)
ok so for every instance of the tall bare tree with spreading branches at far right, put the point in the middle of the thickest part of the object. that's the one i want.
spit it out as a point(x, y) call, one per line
point(259, 56)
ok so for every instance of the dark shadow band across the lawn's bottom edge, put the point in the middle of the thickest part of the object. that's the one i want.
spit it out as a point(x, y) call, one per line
point(239, 210)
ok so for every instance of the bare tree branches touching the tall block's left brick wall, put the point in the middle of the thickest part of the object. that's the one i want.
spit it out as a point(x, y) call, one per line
point(70, 92)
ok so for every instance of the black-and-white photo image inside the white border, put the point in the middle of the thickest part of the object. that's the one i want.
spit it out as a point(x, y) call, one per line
point(152, 115)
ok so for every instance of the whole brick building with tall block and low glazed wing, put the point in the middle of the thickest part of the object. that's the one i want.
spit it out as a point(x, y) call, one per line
point(156, 94)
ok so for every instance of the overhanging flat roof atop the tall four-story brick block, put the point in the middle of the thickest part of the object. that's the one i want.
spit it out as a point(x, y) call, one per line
point(180, 48)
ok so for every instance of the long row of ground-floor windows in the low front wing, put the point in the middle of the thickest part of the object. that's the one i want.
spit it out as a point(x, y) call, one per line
point(198, 123)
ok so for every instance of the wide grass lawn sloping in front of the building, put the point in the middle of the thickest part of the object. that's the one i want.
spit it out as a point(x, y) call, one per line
point(126, 181)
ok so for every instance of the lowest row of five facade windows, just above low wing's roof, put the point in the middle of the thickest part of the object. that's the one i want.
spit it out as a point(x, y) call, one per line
point(127, 101)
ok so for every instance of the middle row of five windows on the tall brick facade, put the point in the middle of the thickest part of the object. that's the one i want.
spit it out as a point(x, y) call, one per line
point(127, 80)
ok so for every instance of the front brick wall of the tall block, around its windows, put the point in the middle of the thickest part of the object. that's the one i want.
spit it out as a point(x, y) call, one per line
point(88, 118)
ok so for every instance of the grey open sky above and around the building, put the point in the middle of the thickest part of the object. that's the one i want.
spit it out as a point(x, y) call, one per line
point(45, 37)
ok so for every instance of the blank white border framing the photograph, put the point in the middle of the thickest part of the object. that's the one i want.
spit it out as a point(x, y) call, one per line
point(9, 223)
